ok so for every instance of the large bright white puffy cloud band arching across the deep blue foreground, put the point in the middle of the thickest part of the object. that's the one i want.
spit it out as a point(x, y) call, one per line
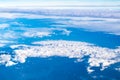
point(72, 49)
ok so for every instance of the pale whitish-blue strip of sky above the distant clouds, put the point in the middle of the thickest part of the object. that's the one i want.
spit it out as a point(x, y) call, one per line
point(59, 2)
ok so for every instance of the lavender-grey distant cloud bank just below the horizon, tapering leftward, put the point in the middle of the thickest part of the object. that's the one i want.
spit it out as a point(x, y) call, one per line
point(106, 13)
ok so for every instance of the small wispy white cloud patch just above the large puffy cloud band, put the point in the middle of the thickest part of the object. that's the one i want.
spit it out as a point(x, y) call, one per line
point(44, 32)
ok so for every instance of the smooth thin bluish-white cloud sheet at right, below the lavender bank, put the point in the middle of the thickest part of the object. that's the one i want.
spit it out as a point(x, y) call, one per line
point(106, 25)
